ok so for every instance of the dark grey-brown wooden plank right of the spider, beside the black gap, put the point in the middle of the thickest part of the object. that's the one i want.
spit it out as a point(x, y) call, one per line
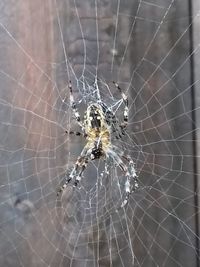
point(163, 76)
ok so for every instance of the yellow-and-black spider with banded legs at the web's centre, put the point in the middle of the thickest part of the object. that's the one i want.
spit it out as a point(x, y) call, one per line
point(99, 127)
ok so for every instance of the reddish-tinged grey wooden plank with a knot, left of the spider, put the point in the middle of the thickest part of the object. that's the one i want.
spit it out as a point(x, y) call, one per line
point(27, 133)
